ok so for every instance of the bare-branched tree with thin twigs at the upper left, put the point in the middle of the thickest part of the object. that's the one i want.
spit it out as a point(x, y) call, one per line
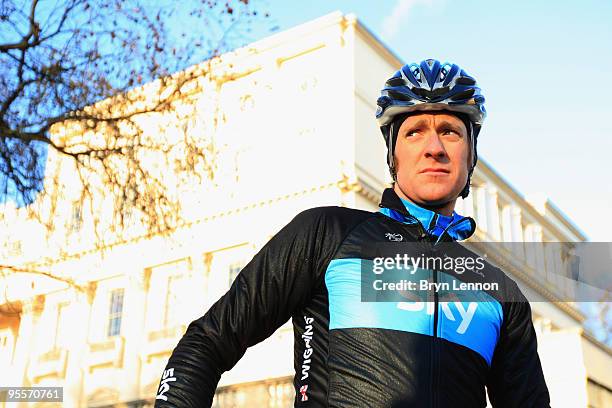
point(82, 79)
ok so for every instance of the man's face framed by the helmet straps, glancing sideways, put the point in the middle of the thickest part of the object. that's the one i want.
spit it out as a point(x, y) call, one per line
point(431, 156)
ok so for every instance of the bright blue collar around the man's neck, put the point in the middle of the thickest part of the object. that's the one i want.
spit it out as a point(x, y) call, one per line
point(437, 225)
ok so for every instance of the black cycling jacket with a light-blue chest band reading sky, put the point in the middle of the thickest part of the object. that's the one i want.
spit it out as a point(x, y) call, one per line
point(349, 353)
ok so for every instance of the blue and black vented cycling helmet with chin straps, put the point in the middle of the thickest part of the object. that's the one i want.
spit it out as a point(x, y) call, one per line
point(430, 86)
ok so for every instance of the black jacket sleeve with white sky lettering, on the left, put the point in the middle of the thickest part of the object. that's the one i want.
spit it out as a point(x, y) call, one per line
point(264, 295)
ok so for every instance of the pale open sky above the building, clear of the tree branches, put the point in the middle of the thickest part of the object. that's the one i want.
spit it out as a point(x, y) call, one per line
point(545, 69)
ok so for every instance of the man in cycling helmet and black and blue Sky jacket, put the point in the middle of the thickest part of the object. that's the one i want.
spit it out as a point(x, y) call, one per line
point(352, 353)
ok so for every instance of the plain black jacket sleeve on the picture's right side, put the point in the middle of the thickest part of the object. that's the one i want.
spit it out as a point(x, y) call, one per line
point(516, 378)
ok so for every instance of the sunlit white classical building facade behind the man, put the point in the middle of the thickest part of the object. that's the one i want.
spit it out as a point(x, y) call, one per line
point(297, 131)
